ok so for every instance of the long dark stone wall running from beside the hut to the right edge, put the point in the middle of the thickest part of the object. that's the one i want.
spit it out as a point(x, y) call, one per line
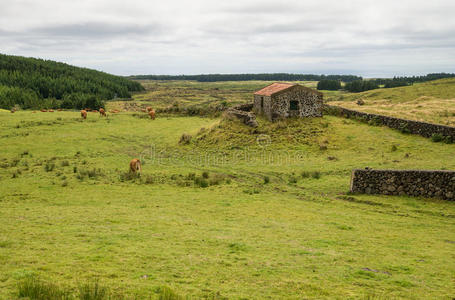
point(424, 129)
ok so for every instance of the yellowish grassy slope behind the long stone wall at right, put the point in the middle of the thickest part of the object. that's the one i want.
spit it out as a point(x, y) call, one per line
point(432, 101)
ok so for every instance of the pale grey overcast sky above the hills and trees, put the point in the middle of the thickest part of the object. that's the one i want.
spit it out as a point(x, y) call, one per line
point(361, 37)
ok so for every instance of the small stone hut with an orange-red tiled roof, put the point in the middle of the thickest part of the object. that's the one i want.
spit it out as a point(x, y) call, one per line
point(284, 100)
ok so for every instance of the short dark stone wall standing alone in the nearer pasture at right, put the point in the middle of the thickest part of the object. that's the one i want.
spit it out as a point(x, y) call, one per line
point(438, 184)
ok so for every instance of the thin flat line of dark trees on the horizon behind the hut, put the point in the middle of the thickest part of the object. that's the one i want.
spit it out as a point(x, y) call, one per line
point(246, 77)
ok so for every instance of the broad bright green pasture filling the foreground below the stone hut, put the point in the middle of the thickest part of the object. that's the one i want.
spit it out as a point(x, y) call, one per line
point(235, 213)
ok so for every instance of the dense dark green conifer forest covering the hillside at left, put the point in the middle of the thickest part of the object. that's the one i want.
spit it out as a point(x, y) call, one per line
point(36, 83)
